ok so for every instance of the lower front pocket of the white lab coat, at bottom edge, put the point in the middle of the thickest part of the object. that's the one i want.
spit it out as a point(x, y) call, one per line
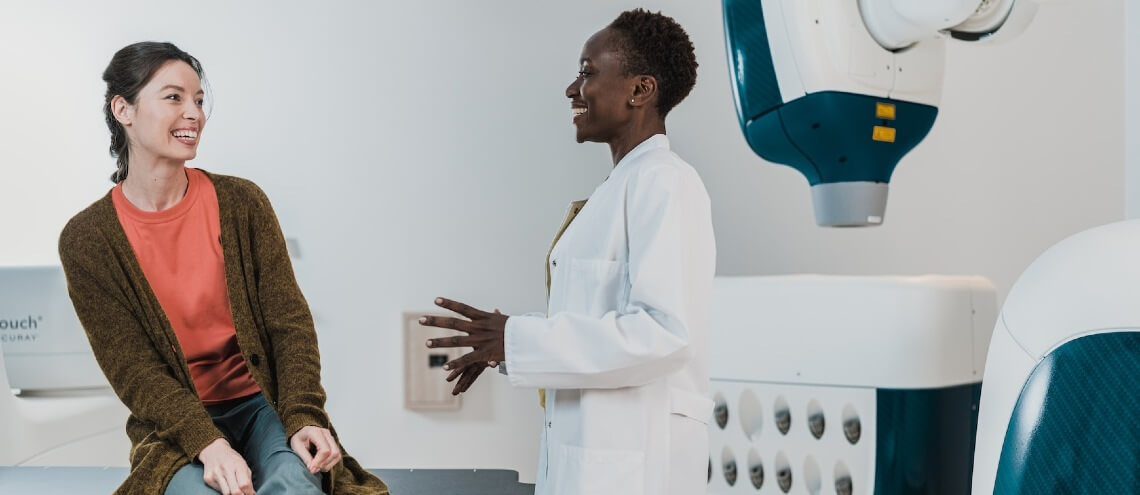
point(596, 472)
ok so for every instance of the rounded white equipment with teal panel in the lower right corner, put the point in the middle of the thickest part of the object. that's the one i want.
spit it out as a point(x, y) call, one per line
point(1061, 407)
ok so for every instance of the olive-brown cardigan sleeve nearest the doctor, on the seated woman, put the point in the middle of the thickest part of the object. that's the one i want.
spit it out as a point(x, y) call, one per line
point(289, 322)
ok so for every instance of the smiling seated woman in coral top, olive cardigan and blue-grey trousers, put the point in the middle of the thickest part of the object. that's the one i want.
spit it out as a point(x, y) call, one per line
point(183, 283)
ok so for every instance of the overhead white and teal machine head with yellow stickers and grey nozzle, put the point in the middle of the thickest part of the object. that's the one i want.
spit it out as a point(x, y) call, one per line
point(842, 91)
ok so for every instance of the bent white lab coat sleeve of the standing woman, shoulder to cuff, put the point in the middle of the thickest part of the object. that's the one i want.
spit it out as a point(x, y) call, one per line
point(642, 342)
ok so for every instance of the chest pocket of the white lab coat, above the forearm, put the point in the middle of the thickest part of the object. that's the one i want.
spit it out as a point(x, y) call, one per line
point(596, 288)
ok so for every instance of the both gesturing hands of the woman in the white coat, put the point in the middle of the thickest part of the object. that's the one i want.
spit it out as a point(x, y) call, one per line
point(484, 332)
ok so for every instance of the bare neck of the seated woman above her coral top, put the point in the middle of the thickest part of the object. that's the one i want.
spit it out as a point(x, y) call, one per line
point(156, 185)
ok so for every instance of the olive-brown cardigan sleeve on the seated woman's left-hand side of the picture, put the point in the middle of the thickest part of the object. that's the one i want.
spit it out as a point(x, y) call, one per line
point(142, 379)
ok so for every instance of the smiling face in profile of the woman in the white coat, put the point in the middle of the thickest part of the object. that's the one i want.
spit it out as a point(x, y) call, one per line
point(600, 96)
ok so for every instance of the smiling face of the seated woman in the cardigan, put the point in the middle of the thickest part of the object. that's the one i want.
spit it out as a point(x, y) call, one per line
point(167, 119)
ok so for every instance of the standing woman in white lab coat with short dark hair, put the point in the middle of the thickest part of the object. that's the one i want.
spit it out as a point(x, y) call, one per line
point(623, 354)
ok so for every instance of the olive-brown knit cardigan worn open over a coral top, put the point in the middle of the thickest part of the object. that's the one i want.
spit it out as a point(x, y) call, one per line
point(137, 350)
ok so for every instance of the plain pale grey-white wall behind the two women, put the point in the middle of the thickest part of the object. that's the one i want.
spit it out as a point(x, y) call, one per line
point(425, 149)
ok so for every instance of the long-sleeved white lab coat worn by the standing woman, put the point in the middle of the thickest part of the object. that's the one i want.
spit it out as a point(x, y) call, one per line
point(624, 354)
